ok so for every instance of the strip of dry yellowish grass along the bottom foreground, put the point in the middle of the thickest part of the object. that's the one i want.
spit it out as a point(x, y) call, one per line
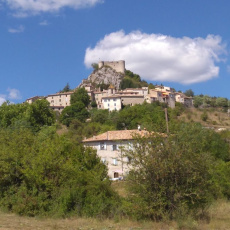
point(219, 219)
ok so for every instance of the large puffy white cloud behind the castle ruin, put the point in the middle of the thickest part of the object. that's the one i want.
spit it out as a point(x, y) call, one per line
point(158, 57)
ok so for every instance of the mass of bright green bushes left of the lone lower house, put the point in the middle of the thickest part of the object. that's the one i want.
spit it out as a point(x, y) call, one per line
point(49, 174)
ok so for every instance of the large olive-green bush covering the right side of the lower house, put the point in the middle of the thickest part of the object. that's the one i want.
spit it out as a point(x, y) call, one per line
point(172, 175)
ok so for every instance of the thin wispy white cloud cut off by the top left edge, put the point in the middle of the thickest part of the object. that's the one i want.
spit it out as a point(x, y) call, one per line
point(25, 7)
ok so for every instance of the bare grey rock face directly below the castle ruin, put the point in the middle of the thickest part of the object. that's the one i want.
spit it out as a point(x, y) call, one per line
point(104, 75)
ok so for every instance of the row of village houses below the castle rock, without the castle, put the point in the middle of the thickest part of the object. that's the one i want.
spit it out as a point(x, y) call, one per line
point(113, 99)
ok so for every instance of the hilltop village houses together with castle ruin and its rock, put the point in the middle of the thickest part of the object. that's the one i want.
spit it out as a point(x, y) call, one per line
point(113, 98)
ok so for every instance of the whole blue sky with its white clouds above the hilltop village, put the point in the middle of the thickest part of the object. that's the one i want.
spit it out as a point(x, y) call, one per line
point(48, 43)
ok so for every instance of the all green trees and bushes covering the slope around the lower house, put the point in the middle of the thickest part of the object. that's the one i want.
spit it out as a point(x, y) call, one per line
point(178, 174)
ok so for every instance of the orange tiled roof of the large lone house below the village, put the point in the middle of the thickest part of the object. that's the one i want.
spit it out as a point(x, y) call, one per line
point(117, 135)
